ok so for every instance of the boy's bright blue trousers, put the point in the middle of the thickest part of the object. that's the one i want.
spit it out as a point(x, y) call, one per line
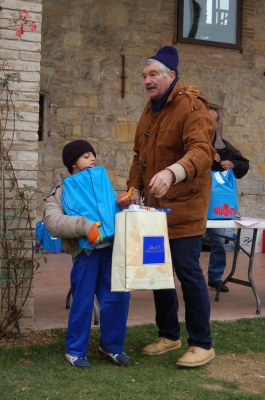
point(90, 276)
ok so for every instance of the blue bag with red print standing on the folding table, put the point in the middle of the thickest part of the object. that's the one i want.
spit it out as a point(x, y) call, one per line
point(223, 201)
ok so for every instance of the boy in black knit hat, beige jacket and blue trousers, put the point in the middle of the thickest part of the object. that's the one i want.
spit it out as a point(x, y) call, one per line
point(91, 272)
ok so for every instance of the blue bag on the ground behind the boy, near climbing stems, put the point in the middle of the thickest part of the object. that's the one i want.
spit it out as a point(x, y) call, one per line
point(45, 241)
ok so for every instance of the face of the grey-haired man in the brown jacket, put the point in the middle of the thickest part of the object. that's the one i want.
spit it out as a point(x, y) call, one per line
point(155, 83)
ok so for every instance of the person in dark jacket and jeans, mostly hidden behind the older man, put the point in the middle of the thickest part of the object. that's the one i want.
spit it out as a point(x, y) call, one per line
point(227, 157)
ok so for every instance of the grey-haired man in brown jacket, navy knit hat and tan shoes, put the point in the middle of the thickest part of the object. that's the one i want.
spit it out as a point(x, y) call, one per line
point(172, 162)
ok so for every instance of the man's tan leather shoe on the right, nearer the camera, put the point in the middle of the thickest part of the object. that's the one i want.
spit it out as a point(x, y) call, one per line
point(195, 357)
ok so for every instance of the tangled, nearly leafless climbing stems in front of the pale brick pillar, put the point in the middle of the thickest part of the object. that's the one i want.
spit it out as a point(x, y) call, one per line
point(18, 261)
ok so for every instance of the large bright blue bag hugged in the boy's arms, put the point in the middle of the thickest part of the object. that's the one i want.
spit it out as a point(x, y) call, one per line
point(91, 195)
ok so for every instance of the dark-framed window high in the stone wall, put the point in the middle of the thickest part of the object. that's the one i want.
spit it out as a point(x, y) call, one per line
point(210, 22)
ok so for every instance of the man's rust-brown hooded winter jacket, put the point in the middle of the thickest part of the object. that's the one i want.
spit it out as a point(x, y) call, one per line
point(181, 132)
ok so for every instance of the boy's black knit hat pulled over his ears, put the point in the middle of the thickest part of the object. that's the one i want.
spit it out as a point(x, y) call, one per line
point(73, 150)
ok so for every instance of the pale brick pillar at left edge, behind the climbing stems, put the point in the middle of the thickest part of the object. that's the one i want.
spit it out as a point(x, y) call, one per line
point(23, 56)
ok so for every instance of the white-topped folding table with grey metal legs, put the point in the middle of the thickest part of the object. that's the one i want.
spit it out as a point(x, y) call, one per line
point(246, 223)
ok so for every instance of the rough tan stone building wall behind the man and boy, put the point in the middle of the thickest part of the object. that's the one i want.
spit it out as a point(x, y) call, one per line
point(81, 70)
